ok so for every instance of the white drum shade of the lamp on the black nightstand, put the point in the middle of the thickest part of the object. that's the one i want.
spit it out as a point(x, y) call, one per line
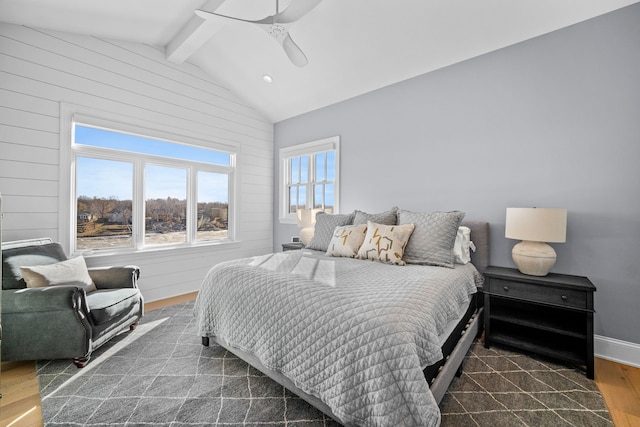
point(537, 224)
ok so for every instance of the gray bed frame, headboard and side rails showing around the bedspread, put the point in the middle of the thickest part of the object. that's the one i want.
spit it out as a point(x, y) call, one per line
point(455, 348)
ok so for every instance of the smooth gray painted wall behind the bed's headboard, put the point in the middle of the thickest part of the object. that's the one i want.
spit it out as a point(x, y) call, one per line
point(550, 122)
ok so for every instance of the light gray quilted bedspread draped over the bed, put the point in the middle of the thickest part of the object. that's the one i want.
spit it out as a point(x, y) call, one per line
point(354, 333)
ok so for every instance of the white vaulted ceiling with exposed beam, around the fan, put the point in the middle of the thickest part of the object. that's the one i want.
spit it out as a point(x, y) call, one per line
point(352, 46)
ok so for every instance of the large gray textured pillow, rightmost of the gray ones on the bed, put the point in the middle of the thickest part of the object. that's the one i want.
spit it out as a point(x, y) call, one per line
point(433, 237)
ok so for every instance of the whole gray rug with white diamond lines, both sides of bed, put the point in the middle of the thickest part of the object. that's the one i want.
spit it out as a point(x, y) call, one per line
point(160, 375)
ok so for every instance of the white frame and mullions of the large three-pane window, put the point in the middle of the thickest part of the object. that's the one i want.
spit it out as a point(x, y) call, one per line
point(69, 152)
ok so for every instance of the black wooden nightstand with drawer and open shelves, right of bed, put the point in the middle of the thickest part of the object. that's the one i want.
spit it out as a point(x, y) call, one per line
point(551, 315)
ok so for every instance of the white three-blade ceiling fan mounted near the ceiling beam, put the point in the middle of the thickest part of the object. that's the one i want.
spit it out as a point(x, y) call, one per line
point(277, 26)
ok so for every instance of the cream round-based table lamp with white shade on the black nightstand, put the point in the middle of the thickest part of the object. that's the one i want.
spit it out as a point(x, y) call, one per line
point(535, 227)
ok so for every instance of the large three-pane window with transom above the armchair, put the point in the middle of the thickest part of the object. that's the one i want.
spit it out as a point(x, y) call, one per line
point(134, 192)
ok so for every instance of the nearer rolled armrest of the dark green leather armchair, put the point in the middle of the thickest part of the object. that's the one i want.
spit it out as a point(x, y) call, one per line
point(45, 299)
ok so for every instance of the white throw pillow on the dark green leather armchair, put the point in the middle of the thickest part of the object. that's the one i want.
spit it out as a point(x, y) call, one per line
point(70, 272)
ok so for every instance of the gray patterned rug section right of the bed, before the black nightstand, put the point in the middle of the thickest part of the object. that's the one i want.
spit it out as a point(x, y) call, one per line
point(503, 388)
